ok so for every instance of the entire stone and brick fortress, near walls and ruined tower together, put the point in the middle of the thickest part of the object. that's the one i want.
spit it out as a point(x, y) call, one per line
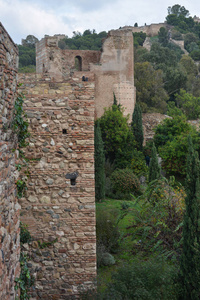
point(59, 207)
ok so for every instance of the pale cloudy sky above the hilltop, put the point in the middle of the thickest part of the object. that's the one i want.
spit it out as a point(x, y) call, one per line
point(40, 17)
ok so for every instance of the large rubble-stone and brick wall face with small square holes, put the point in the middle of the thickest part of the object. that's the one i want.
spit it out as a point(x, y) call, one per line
point(61, 116)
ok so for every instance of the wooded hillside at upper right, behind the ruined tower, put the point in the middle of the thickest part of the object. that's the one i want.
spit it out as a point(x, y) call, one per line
point(165, 72)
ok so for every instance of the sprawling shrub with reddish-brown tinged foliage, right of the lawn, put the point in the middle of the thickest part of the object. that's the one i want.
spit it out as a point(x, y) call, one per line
point(157, 218)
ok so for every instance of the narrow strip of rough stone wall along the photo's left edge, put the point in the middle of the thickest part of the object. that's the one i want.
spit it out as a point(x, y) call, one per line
point(9, 207)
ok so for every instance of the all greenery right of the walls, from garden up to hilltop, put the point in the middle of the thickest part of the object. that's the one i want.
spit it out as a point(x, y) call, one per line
point(152, 219)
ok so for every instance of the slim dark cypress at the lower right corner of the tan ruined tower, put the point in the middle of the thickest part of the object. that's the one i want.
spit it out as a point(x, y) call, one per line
point(136, 125)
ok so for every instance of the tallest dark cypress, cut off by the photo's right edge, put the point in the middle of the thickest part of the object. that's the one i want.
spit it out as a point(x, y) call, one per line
point(190, 259)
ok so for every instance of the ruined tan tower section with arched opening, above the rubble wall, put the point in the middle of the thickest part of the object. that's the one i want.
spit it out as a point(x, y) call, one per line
point(113, 68)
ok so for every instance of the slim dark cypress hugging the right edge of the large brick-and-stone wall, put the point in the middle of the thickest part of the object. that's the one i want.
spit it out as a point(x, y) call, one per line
point(99, 164)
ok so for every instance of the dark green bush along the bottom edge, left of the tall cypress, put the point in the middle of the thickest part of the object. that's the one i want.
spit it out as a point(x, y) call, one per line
point(148, 280)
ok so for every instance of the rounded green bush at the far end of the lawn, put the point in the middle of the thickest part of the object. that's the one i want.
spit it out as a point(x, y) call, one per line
point(125, 182)
